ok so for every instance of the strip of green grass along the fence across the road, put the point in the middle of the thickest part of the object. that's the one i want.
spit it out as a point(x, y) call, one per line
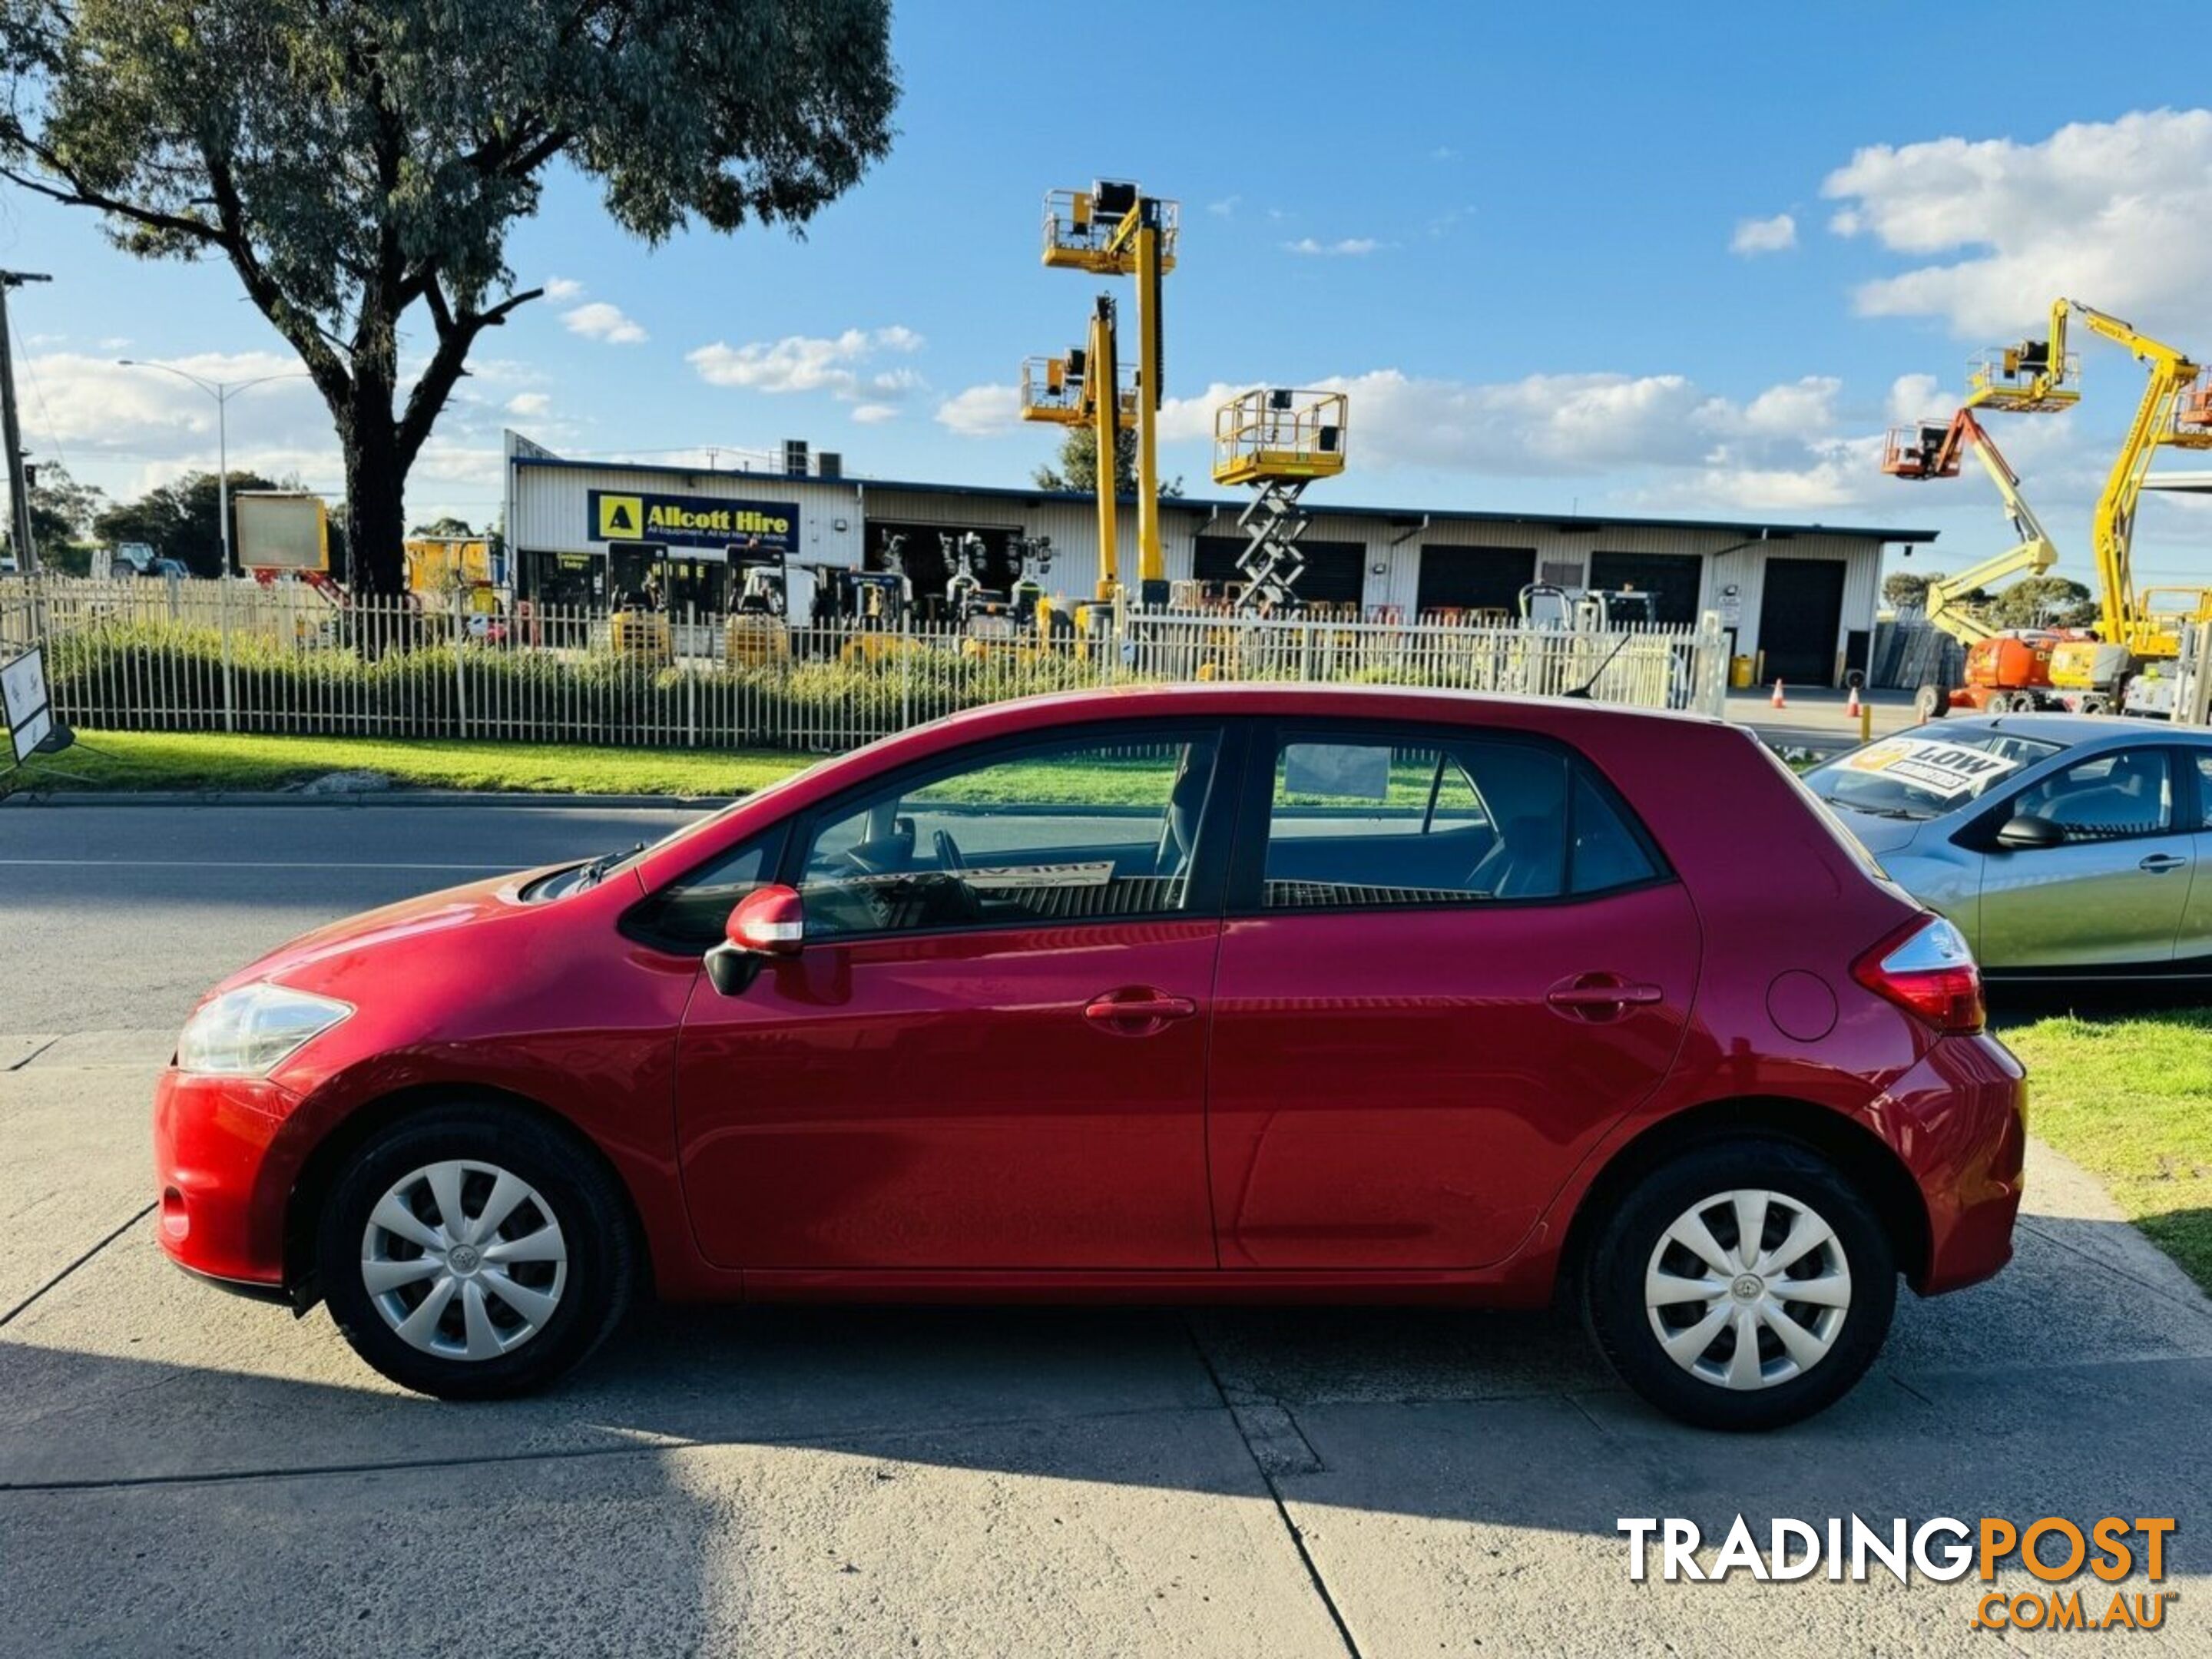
point(242, 762)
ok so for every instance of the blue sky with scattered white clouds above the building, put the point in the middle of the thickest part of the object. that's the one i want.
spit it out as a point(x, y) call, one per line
point(1561, 258)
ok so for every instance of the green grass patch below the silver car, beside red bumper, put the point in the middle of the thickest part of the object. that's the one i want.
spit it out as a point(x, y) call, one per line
point(2131, 1100)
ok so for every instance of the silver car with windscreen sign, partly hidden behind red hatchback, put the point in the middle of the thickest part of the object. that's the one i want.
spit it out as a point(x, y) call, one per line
point(2065, 846)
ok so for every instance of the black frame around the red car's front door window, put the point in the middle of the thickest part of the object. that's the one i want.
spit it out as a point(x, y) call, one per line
point(1202, 890)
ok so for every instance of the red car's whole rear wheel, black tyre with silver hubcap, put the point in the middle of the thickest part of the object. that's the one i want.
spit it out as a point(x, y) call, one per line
point(1742, 1286)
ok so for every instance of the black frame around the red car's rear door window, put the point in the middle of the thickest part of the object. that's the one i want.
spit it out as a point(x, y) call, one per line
point(1255, 802)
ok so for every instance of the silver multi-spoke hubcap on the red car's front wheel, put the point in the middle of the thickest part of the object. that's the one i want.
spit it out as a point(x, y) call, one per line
point(463, 1260)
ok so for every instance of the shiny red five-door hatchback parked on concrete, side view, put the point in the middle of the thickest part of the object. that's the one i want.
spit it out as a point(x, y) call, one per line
point(1220, 994)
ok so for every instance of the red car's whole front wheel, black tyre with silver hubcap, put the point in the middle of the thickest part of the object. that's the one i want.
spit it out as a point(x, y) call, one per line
point(474, 1253)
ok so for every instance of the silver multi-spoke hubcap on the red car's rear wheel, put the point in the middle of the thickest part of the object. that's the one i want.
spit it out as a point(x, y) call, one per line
point(1749, 1291)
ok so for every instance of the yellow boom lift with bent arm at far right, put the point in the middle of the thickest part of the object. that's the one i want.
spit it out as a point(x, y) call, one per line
point(2129, 667)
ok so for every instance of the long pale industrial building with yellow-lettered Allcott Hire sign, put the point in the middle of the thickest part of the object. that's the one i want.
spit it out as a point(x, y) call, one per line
point(1797, 598)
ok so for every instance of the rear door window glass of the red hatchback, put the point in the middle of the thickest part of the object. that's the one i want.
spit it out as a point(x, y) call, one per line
point(1377, 822)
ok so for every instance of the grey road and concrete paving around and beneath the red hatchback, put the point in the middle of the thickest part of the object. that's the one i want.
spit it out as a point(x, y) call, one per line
point(198, 1474)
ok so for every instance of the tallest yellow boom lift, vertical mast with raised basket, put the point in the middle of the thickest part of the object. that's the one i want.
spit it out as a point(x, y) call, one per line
point(1118, 231)
